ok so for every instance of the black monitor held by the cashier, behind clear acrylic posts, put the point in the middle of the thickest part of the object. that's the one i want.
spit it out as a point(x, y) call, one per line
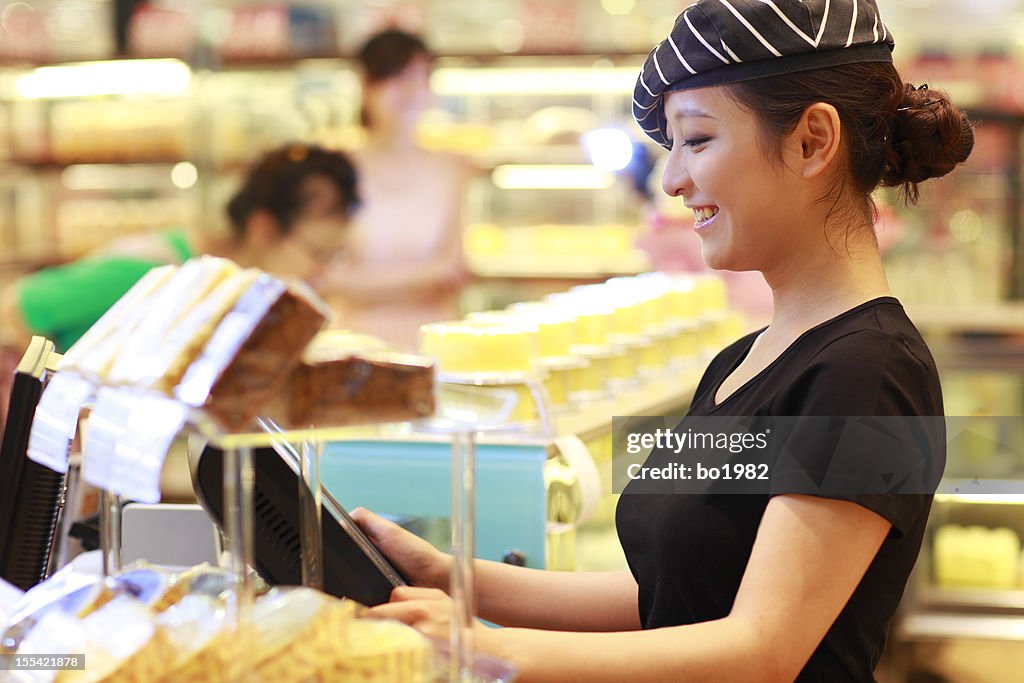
point(353, 566)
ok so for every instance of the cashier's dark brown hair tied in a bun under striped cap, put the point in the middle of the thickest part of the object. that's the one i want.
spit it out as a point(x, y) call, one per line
point(897, 136)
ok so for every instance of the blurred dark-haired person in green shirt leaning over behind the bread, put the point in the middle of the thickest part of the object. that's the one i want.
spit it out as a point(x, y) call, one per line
point(289, 218)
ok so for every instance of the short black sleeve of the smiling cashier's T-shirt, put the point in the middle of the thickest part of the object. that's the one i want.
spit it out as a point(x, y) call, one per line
point(867, 429)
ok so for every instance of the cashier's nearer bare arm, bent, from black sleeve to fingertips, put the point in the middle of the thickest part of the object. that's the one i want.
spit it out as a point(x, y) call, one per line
point(797, 582)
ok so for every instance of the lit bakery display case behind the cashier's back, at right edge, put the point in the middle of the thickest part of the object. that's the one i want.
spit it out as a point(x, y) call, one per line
point(967, 593)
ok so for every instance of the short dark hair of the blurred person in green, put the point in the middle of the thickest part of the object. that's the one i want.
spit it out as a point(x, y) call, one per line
point(275, 184)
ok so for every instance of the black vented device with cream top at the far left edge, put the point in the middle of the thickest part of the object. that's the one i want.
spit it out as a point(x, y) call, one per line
point(31, 494)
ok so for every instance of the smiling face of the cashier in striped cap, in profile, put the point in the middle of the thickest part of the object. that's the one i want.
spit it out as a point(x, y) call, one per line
point(746, 206)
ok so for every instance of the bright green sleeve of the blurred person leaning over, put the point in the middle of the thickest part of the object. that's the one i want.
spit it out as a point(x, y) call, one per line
point(63, 303)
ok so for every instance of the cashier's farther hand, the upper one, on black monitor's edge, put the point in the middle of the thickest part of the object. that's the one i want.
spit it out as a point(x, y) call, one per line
point(417, 561)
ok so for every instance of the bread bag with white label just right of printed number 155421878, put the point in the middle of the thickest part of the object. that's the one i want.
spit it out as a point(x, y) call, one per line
point(123, 646)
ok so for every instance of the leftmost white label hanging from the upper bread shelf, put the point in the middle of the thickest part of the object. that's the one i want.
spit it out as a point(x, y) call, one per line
point(57, 420)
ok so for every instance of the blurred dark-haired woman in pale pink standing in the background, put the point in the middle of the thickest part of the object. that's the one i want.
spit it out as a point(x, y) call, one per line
point(405, 265)
